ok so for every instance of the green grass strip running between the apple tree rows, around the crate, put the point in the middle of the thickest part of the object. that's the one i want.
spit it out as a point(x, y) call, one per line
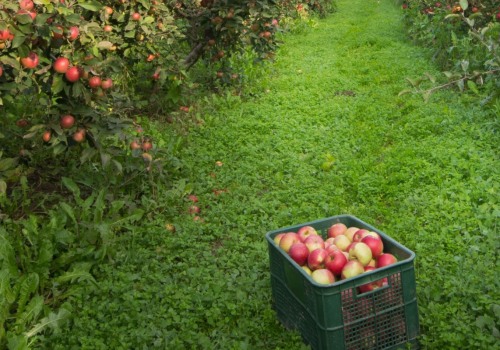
point(326, 135)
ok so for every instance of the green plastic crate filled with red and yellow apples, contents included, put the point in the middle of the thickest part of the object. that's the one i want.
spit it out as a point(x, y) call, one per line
point(344, 284)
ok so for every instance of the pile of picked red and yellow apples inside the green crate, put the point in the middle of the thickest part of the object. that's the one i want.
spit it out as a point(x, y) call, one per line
point(345, 253)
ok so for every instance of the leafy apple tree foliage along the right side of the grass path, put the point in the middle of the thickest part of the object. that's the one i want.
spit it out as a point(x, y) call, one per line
point(464, 37)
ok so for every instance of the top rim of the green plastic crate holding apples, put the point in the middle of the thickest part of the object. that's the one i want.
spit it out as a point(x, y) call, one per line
point(365, 277)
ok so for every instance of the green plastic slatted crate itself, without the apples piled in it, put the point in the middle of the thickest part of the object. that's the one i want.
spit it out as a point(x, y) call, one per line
point(336, 316)
